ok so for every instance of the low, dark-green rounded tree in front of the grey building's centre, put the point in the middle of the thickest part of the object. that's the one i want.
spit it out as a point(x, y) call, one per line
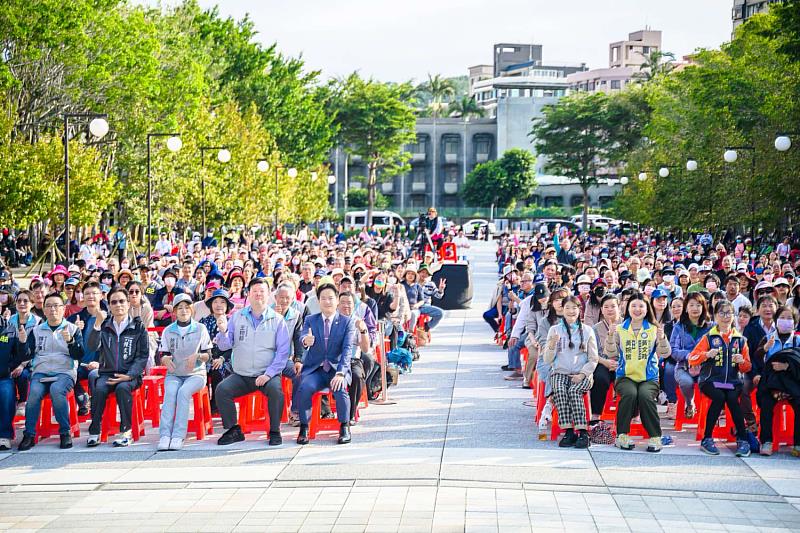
point(501, 182)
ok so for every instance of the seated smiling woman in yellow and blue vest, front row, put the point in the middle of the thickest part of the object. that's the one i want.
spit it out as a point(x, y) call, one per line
point(637, 344)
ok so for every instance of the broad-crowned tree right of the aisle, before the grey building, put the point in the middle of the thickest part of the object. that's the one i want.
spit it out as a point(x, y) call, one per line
point(584, 133)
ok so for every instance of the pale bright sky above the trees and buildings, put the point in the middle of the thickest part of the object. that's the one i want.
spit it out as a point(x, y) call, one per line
point(406, 39)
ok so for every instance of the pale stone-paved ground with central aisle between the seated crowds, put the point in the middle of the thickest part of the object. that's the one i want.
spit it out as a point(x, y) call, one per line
point(458, 451)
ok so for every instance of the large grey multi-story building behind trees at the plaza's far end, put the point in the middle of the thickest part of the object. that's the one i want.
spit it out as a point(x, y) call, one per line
point(513, 91)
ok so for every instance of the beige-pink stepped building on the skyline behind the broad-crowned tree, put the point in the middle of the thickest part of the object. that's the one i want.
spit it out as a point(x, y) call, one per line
point(625, 59)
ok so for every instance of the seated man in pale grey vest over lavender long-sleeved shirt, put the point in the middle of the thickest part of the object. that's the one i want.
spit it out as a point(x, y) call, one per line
point(260, 342)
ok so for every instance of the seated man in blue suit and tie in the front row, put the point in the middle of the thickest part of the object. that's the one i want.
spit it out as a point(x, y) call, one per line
point(329, 338)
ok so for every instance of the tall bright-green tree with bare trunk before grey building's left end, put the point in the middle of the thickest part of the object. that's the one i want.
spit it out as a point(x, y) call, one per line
point(376, 123)
